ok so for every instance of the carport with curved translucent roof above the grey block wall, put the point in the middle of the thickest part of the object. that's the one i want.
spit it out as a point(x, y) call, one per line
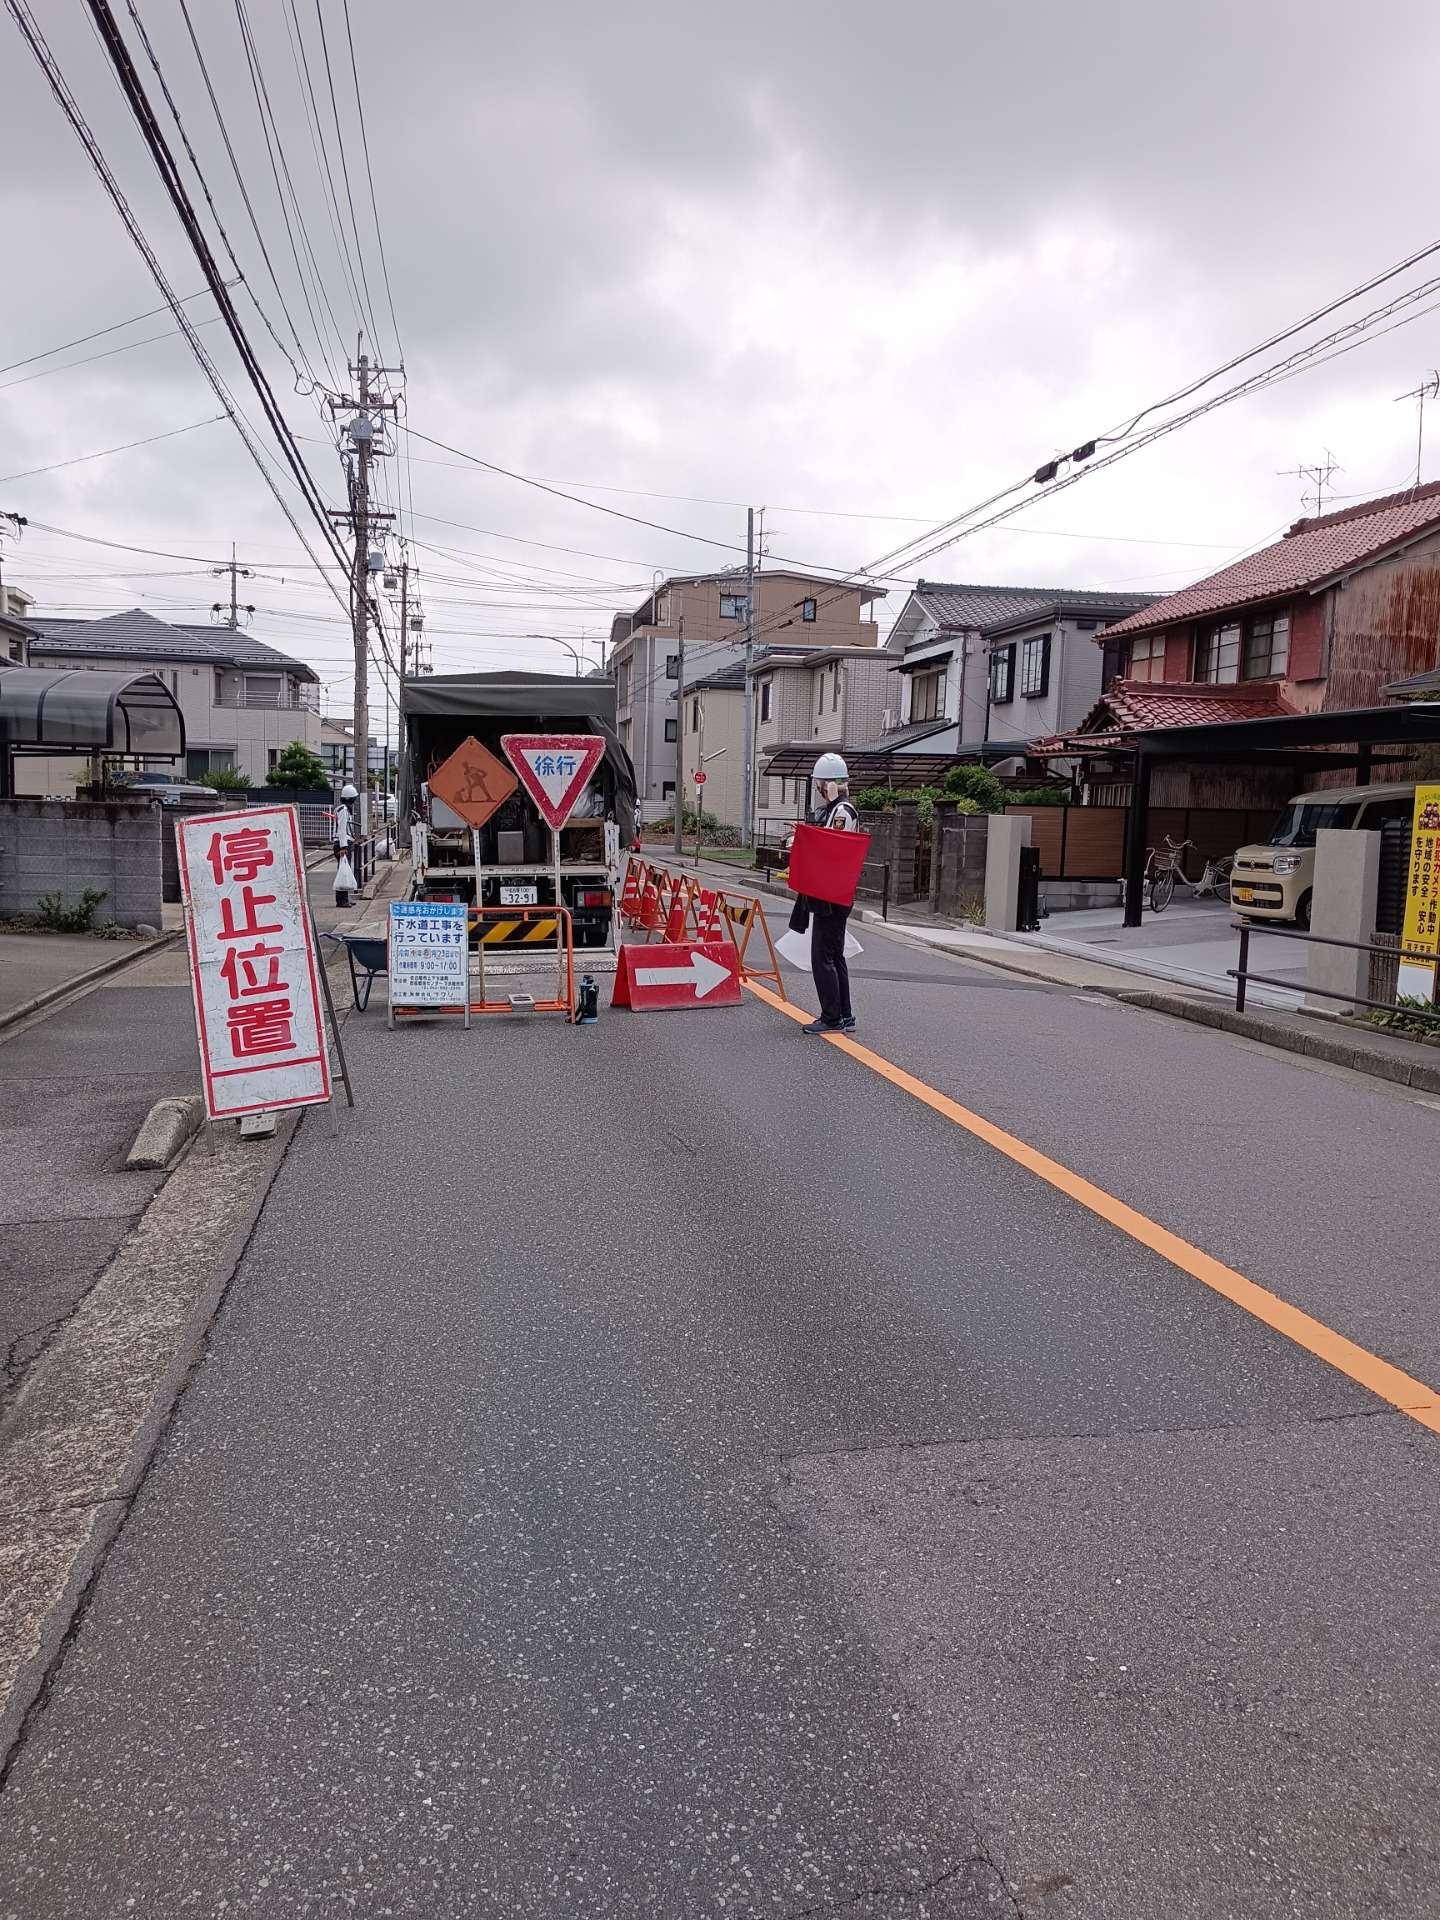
point(76, 709)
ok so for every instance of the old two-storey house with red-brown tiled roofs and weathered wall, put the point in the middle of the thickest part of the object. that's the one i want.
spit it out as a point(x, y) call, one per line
point(1339, 613)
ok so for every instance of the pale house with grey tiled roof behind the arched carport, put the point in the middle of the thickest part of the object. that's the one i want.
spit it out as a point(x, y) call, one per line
point(243, 702)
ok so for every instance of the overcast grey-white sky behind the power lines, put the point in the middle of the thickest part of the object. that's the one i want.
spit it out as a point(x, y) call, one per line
point(859, 266)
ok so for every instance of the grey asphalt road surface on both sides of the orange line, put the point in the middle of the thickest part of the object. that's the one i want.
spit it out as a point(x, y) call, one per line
point(667, 1470)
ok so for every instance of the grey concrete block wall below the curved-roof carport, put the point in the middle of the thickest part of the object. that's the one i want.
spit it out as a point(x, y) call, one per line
point(70, 846)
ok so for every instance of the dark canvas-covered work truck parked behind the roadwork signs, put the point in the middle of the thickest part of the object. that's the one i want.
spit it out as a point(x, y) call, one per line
point(517, 861)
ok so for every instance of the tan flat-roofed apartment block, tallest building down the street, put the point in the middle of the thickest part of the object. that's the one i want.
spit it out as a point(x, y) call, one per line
point(646, 652)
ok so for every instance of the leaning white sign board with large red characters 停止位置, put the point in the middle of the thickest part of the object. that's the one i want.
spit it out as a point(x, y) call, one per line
point(252, 963)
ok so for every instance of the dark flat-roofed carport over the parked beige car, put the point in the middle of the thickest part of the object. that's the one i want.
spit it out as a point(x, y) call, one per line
point(1356, 740)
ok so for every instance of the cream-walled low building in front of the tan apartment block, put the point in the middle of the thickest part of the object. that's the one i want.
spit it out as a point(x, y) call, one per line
point(804, 694)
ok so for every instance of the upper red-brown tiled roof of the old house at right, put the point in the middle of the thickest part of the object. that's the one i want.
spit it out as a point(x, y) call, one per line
point(1312, 552)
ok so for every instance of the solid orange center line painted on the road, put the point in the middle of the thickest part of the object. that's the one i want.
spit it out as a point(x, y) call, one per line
point(1368, 1370)
